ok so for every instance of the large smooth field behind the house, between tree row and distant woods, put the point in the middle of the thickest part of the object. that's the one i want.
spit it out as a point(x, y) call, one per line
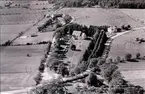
point(99, 16)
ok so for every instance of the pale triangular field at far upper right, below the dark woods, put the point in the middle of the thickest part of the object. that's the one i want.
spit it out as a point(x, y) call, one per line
point(137, 14)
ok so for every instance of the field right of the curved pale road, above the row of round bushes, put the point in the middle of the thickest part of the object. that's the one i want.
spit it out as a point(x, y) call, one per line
point(127, 44)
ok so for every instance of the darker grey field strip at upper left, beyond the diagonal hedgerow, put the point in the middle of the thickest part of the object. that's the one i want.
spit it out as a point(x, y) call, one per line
point(25, 18)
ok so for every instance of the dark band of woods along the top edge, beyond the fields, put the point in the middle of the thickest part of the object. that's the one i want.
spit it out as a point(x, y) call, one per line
point(140, 4)
